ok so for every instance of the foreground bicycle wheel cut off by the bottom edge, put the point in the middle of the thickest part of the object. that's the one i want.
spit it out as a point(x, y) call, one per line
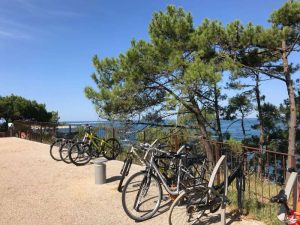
point(188, 207)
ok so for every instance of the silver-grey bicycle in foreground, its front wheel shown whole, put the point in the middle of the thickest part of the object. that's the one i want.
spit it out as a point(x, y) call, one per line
point(142, 193)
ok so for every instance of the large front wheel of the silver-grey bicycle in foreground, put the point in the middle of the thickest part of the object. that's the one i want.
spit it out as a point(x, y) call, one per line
point(141, 196)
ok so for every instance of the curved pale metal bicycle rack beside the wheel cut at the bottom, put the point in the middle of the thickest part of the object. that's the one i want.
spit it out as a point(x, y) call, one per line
point(221, 161)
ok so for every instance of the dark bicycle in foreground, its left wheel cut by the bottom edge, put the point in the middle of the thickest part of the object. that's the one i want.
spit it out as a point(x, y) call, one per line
point(191, 204)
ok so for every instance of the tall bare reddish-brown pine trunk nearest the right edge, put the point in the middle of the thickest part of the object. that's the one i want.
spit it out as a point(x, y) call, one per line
point(293, 113)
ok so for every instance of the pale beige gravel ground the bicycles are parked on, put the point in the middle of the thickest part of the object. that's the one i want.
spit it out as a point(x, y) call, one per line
point(36, 190)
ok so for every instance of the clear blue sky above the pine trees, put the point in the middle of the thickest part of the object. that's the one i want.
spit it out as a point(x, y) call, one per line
point(46, 46)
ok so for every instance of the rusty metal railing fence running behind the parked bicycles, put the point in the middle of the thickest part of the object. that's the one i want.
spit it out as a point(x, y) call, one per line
point(266, 170)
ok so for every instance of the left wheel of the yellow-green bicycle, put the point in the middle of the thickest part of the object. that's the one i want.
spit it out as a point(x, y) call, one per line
point(80, 153)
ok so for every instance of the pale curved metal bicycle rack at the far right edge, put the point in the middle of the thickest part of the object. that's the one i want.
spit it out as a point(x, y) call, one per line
point(291, 186)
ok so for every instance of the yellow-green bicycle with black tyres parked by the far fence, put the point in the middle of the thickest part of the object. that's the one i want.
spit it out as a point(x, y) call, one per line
point(92, 146)
